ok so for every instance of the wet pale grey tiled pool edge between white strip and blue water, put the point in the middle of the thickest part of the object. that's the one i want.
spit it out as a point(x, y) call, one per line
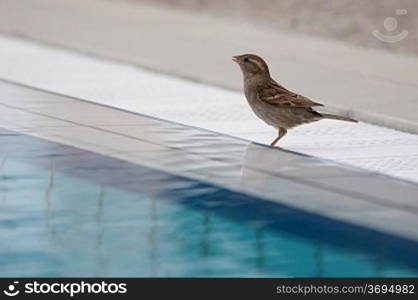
point(329, 190)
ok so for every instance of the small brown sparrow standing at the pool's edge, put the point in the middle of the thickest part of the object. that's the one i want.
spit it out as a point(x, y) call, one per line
point(273, 103)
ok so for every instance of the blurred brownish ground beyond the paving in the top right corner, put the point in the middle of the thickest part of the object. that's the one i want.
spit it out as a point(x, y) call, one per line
point(346, 20)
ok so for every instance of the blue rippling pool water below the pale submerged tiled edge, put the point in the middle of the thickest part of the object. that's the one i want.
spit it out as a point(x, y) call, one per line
point(68, 212)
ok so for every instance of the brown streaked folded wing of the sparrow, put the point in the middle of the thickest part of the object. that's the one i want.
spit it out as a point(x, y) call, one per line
point(275, 94)
